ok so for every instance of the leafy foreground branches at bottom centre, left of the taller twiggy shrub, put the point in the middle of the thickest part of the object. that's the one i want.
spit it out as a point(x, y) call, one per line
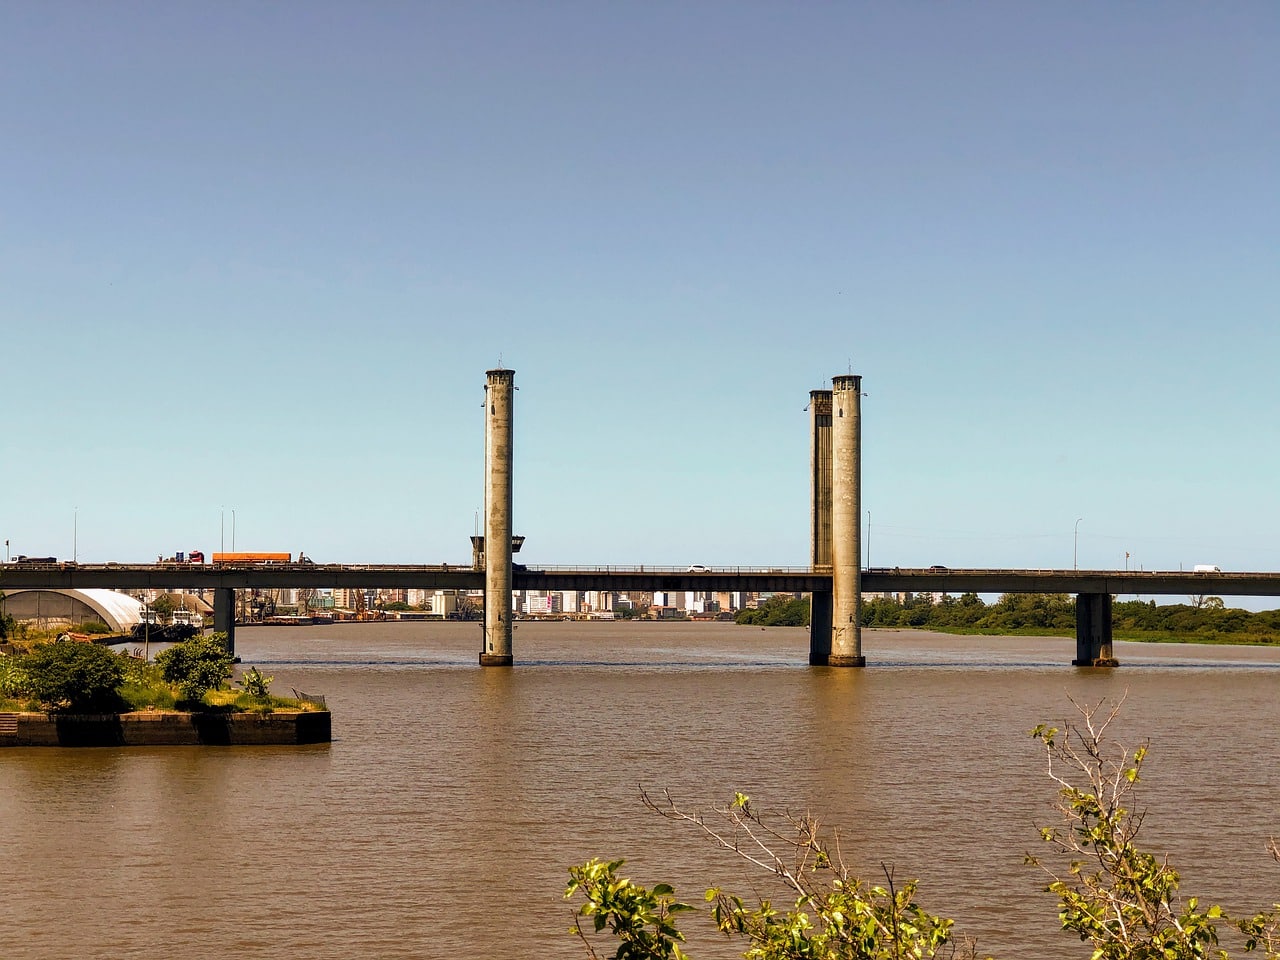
point(833, 916)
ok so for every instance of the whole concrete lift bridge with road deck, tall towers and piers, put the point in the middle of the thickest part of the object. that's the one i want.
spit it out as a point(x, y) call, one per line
point(834, 578)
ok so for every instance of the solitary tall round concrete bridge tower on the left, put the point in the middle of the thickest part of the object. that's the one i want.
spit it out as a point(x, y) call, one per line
point(499, 404)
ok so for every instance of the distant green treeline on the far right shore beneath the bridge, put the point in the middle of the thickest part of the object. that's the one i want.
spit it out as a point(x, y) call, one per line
point(1026, 614)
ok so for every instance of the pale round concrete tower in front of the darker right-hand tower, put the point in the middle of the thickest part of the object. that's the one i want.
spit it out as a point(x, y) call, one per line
point(847, 495)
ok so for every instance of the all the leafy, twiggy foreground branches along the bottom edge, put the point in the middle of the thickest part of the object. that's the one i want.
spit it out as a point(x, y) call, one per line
point(1123, 902)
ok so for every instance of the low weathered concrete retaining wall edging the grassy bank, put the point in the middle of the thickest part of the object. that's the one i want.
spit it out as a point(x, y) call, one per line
point(157, 729)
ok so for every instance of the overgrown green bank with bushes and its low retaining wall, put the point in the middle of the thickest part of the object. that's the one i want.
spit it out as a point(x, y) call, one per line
point(83, 694)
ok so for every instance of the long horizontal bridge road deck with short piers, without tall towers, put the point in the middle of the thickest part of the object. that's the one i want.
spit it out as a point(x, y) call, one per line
point(223, 580)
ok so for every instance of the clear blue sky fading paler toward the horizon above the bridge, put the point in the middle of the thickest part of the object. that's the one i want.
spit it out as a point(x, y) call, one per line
point(255, 260)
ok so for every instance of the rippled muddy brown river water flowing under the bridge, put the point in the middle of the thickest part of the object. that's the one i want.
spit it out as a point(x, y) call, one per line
point(441, 821)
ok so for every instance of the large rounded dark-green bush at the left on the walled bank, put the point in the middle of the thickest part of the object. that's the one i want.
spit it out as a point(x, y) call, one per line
point(74, 678)
